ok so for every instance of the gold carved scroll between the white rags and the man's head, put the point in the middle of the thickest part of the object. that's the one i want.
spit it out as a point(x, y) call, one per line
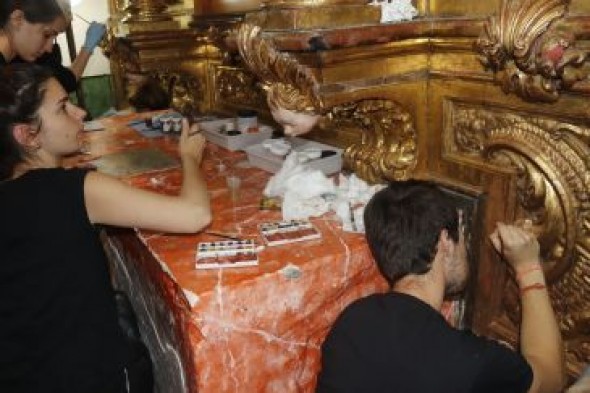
point(388, 147)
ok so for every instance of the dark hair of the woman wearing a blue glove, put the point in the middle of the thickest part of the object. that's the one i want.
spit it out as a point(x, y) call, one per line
point(35, 11)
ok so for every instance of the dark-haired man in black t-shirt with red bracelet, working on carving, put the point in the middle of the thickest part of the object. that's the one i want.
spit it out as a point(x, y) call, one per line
point(399, 342)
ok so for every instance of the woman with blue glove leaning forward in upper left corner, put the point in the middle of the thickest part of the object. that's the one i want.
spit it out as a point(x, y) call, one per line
point(28, 32)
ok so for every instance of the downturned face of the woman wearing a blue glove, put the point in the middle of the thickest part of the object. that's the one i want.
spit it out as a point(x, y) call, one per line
point(32, 40)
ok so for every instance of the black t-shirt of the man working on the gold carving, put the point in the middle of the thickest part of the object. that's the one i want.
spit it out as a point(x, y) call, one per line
point(396, 343)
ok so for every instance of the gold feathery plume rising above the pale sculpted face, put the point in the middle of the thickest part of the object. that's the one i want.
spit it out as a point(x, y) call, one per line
point(289, 84)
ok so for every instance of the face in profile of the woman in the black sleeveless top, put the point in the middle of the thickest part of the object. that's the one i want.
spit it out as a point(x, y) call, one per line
point(61, 122)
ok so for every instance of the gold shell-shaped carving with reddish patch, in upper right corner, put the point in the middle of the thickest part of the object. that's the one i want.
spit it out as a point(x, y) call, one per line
point(528, 55)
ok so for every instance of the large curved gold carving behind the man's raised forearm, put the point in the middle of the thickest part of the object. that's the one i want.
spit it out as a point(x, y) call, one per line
point(551, 162)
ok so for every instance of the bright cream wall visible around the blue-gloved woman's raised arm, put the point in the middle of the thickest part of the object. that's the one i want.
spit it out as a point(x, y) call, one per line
point(91, 10)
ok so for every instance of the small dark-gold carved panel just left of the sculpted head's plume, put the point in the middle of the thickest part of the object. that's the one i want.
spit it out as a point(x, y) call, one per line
point(238, 87)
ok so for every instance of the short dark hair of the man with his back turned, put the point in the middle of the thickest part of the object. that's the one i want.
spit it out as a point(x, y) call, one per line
point(403, 223)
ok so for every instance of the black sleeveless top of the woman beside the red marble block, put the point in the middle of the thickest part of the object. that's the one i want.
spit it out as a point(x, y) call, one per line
point(58, 329)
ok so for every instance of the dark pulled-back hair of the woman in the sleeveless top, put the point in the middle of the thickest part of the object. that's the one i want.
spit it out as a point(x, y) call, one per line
point(22, 88)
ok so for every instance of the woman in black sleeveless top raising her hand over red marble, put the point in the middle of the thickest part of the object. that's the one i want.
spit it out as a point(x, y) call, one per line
point(59, 330)
